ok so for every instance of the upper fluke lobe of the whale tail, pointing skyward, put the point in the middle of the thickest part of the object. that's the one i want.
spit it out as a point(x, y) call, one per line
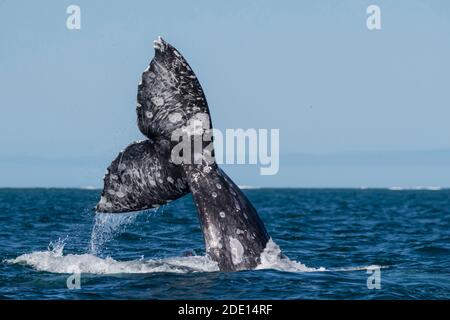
point(169, 94)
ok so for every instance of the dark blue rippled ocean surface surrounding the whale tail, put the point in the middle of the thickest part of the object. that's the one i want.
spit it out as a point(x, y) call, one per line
point(339, 242)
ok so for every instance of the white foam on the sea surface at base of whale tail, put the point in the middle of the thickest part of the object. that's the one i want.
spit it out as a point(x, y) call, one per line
point(53, 260)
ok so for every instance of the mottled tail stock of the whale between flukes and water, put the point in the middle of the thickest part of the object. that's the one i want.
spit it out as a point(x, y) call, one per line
point(234, 234)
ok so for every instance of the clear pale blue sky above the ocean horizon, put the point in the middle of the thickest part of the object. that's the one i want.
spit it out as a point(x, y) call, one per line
point(354, 107)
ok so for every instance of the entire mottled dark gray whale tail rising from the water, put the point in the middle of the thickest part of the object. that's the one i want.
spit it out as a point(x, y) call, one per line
point(144, 176)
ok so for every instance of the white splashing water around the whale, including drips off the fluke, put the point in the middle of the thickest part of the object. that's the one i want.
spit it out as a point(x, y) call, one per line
point(107, 226)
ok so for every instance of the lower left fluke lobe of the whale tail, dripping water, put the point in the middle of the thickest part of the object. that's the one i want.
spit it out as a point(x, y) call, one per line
point(141, 178)
